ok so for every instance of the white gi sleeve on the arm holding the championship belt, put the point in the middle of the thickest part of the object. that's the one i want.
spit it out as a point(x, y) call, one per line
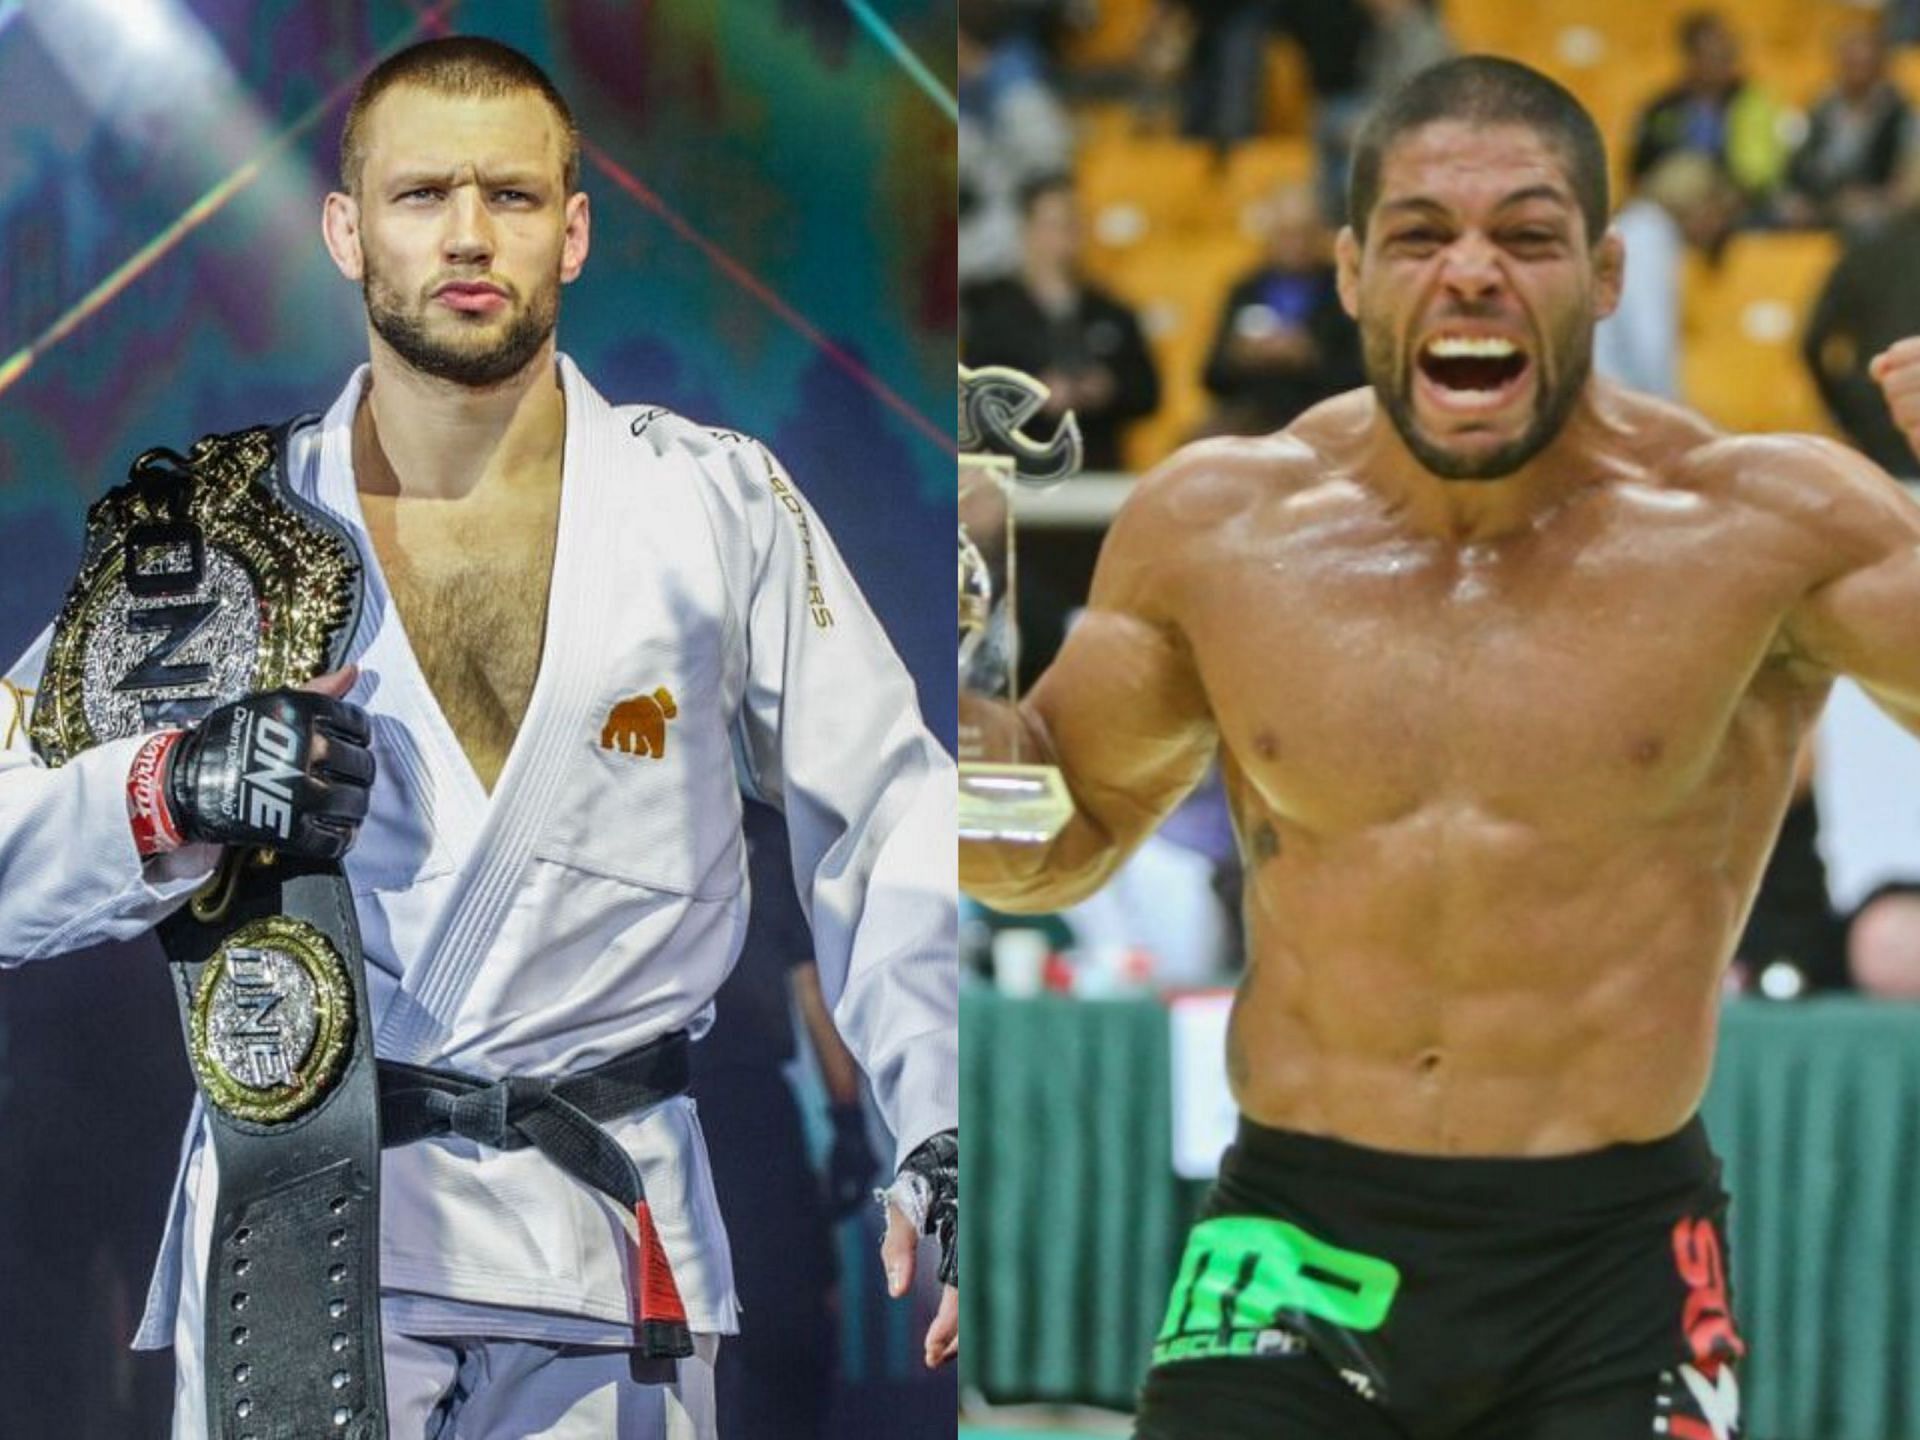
point(70, 875)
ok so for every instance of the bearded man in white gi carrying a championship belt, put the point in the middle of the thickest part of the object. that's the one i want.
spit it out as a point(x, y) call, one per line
point(587, 631)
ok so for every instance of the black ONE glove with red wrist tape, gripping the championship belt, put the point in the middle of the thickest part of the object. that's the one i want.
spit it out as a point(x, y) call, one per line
point(285, 771)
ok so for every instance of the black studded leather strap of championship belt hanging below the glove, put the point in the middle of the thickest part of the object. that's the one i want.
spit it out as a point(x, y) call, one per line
point(293, 1291)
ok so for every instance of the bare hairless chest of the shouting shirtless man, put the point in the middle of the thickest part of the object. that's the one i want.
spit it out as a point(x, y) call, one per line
point(1360, 673)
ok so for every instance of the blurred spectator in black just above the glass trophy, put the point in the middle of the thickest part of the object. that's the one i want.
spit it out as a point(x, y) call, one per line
point(1051, 324)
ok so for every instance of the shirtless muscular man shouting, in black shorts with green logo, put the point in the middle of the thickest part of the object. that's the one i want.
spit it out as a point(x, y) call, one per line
point(1506, 669)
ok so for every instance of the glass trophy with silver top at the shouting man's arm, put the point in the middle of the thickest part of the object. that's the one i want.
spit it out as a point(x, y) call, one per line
point(1007, 796)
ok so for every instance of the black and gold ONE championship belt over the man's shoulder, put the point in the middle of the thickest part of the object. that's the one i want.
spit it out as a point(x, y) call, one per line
point(208, 579)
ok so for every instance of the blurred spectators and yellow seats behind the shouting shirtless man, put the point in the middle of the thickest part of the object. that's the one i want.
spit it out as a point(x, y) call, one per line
point(1149, 193)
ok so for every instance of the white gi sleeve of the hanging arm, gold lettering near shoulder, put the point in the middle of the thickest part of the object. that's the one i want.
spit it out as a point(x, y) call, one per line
point(832, 734)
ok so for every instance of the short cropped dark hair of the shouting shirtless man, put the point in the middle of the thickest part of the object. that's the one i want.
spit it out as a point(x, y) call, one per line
point(1485, 91)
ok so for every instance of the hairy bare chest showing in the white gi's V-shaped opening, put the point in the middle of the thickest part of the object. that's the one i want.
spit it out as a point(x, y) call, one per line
point(471, 590)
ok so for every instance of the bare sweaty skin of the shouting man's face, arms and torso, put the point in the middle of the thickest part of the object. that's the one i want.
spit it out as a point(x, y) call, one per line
point(1506, 757)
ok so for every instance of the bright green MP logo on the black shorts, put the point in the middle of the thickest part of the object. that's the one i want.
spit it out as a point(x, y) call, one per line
point(1243, 1276)
